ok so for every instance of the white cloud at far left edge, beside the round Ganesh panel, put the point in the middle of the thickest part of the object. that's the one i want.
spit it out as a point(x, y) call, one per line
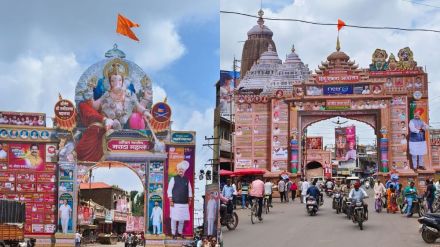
point(32, 83)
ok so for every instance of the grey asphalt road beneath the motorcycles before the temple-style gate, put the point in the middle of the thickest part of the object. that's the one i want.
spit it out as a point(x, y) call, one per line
point(290, 225)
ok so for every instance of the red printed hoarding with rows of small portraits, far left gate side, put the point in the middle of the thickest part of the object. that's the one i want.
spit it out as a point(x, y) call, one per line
point(25, 176)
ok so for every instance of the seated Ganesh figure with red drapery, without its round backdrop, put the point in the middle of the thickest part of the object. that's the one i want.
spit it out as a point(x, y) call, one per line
point(118, 108)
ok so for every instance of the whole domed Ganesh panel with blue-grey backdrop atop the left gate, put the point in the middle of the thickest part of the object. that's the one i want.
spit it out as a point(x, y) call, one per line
point(113, 97)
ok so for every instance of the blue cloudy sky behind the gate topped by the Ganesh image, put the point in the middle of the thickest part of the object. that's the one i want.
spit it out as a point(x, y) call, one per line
point(46, 45)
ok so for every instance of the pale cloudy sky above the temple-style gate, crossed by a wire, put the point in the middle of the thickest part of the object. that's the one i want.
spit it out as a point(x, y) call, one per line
point(314, 43)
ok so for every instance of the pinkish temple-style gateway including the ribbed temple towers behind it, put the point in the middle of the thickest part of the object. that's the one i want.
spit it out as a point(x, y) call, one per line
point(277, 100)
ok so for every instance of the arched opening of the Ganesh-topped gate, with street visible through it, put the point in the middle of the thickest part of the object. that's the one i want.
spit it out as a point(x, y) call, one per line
point(107, 204)
